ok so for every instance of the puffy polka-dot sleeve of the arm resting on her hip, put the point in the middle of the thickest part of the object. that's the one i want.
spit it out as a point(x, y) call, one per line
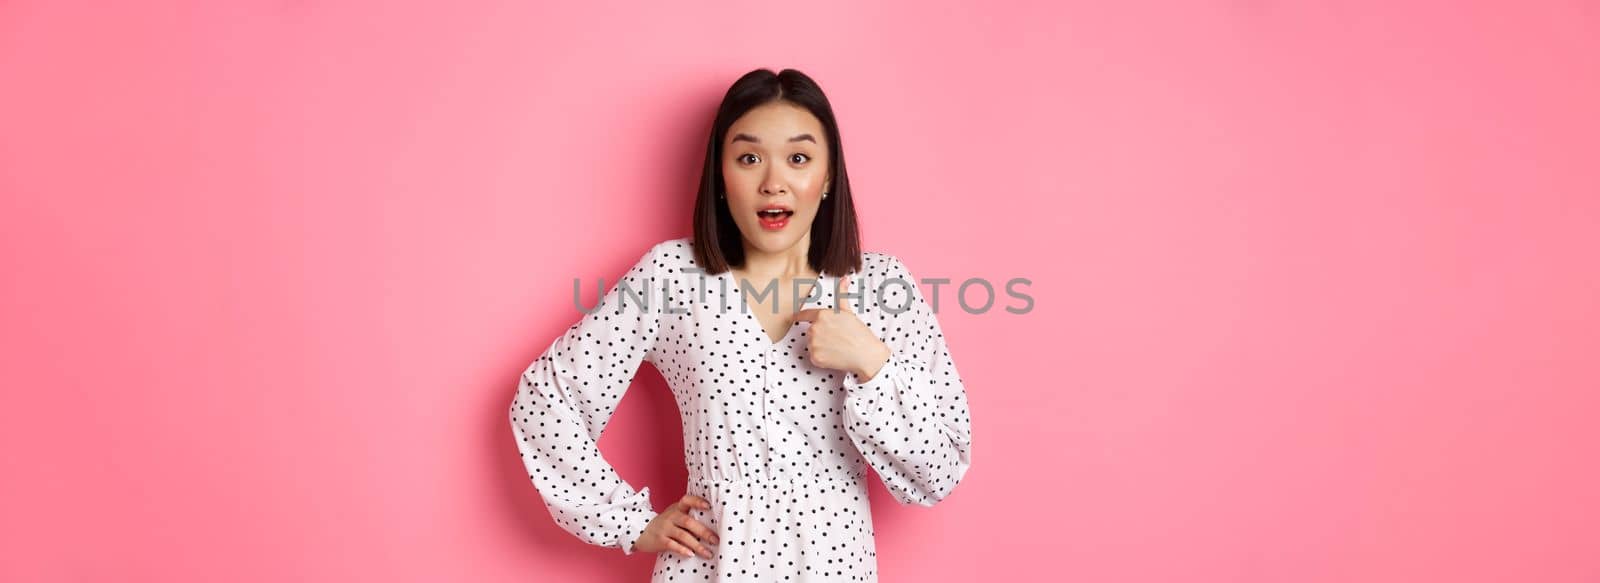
point(566, 400)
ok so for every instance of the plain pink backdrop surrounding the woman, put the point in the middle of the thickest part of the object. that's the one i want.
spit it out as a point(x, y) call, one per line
point(1316, 283)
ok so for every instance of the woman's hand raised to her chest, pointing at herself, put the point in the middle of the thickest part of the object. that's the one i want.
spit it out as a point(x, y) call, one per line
point(841, 340)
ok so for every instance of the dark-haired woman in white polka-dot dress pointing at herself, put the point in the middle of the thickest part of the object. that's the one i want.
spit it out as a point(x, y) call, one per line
point(783, 409)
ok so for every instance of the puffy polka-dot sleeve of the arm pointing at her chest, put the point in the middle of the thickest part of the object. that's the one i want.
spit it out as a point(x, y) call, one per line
point(911, 420)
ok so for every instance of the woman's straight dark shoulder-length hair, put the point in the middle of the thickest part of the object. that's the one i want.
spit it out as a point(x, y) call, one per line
point(836, 239)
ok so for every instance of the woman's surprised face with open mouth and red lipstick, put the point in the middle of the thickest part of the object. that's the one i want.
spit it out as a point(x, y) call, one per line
point(775, 156)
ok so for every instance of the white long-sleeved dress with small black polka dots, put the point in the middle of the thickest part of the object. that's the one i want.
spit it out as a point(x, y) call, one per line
point(777, 446)
